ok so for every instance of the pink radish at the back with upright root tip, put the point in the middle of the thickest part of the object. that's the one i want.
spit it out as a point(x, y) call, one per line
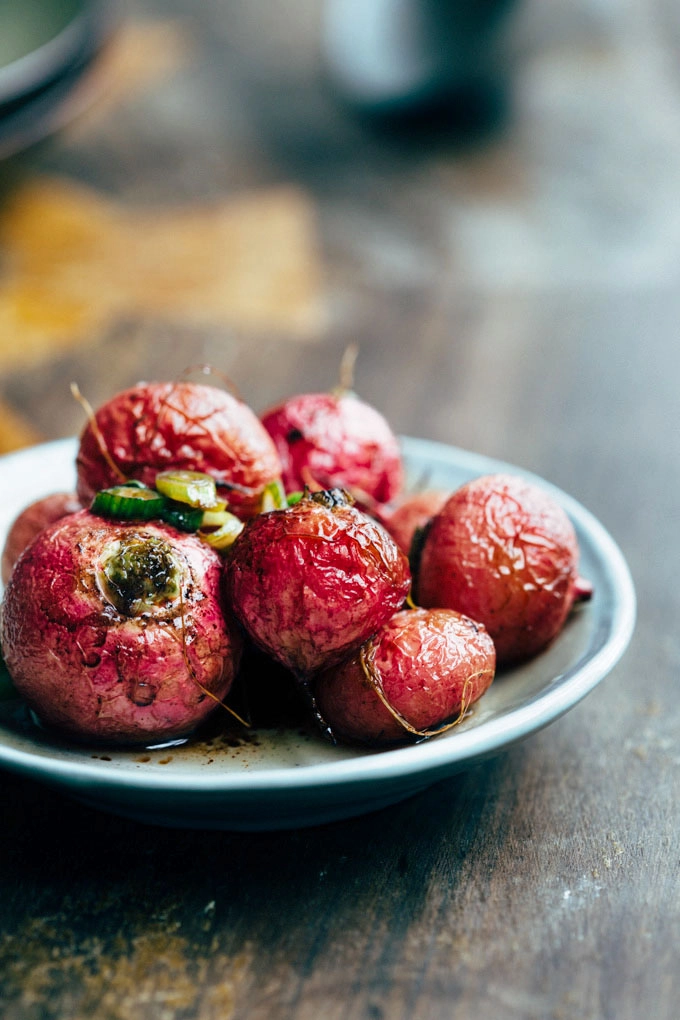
point(337, 441)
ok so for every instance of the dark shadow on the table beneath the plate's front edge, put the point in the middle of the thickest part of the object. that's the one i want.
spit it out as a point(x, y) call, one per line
point(56, 846)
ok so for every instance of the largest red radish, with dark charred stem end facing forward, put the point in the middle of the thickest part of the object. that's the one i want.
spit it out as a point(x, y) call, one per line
point(102, 662)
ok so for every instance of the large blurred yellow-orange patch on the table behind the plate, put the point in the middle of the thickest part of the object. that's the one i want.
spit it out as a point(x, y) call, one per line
point(75, 262)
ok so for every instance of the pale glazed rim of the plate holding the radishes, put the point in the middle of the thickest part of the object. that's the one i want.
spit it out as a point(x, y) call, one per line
point(415, 761)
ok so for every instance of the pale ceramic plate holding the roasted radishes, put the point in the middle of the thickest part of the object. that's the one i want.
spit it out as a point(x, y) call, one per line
point(287, 780)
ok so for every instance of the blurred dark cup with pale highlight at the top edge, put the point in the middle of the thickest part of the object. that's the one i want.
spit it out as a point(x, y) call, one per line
point(419, 63)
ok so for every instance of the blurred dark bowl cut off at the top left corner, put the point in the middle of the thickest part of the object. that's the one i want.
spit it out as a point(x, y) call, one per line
point(47, 47)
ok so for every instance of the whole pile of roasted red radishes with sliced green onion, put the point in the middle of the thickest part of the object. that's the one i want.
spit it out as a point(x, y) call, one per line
point(203, 530)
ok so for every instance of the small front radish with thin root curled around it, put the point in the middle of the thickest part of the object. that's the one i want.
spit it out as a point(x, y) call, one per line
point(431, 665)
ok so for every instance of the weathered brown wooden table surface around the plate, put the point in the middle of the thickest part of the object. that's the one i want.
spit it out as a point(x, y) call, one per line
point(517, 294)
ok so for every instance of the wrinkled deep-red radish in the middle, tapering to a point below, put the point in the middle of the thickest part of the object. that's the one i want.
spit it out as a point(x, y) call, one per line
point(311, 583)
